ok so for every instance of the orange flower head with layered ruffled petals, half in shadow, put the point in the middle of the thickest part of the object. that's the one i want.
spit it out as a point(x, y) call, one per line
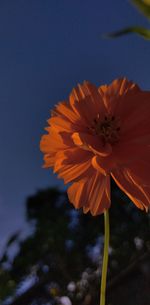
point(98, 133)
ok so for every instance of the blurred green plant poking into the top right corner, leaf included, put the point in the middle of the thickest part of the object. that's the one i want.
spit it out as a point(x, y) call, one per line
point(143, 6)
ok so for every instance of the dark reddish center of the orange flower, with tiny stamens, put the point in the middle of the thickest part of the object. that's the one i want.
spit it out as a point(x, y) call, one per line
point(107, 128)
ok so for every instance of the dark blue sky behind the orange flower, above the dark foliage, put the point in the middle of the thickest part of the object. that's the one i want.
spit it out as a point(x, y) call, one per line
point(46, 47)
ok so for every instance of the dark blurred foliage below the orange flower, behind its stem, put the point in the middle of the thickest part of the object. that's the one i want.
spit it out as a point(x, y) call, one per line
point(60, 259)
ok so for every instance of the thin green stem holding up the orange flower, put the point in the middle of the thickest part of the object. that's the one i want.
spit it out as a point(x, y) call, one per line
point(105, 258)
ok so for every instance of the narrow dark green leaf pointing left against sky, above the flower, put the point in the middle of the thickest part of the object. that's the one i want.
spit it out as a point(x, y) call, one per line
point(145, 33)
